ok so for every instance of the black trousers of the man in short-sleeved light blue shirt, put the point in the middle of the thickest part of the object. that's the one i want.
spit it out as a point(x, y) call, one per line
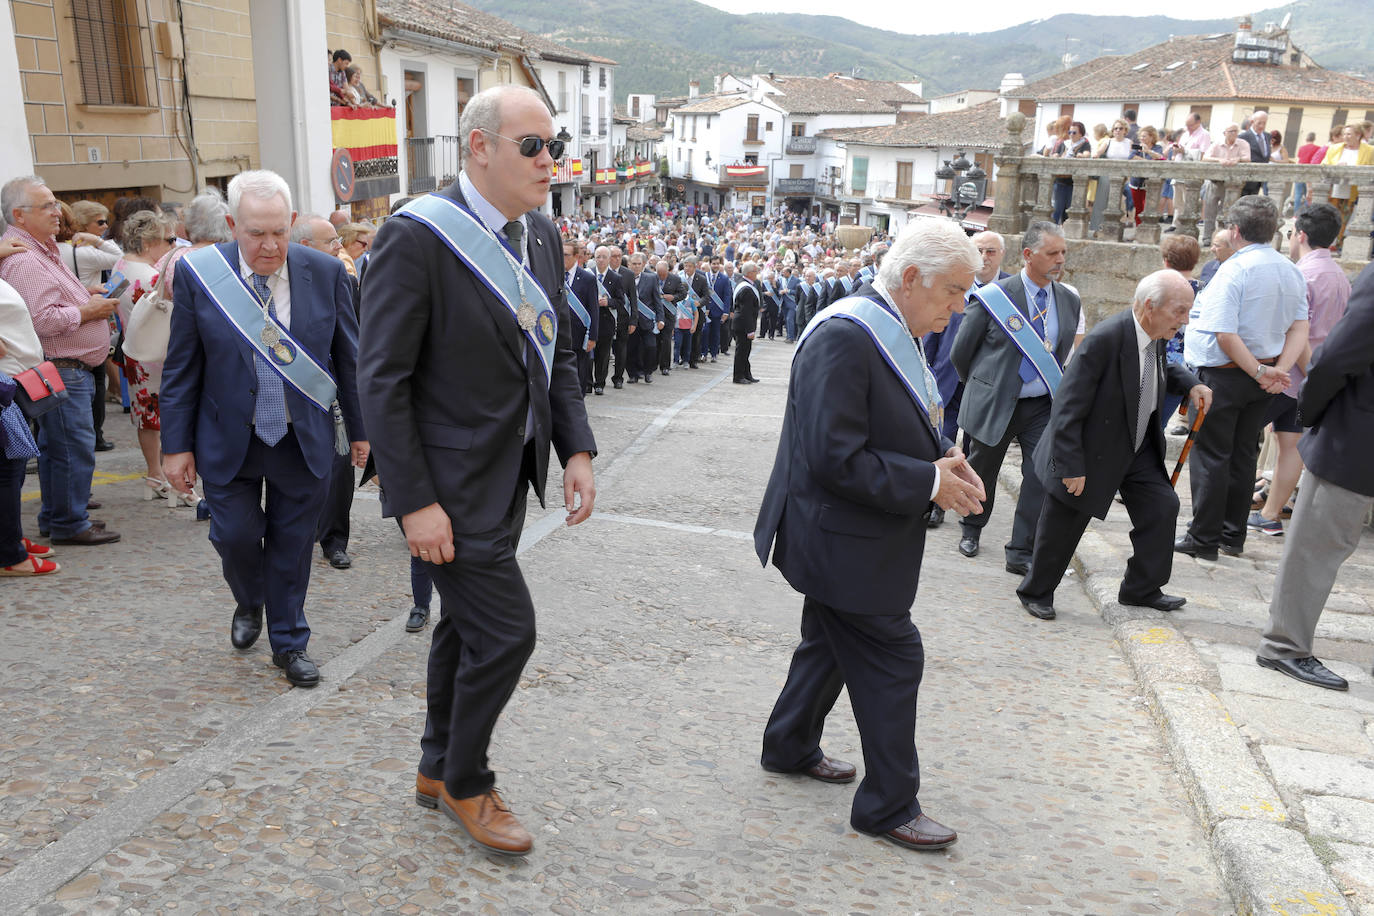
point(1226, 451)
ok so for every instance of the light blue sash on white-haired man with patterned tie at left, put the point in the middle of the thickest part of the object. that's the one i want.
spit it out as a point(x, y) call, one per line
point(245, 314)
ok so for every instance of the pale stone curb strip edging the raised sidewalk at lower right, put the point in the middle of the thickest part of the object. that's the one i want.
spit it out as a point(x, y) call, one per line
point(1268, 866)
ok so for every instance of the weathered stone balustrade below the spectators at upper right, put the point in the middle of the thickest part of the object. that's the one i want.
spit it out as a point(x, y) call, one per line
point(1026, 193)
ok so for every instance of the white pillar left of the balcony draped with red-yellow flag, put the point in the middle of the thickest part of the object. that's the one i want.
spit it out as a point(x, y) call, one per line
point(291, 60)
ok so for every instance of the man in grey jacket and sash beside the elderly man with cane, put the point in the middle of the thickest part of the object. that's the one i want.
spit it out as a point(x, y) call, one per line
point(1004, 398)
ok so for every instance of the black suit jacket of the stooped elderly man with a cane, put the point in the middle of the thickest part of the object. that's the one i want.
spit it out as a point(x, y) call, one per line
point(1093, 422)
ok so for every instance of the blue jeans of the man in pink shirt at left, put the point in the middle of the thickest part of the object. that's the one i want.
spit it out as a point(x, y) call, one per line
point(67, 458)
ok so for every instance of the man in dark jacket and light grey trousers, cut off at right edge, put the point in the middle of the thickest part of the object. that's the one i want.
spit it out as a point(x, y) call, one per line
point(1338, 403)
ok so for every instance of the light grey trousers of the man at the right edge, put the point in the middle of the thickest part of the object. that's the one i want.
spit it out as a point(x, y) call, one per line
point(1325, 531)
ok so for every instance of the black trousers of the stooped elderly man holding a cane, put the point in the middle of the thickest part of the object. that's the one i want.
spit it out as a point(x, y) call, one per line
point(1155, 512)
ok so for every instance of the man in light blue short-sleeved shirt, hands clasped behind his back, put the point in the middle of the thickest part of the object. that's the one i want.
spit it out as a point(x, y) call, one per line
point(1246, 332)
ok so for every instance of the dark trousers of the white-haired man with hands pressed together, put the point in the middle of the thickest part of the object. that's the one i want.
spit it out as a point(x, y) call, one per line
point(880, 660)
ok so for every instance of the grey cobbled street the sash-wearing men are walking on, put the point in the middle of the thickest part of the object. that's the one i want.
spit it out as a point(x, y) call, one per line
point(149, 768)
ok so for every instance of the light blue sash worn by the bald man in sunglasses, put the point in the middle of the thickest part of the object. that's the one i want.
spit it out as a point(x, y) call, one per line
point(479, 248)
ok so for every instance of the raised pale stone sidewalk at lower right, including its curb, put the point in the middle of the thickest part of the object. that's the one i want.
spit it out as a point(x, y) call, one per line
point(1283, 774)
